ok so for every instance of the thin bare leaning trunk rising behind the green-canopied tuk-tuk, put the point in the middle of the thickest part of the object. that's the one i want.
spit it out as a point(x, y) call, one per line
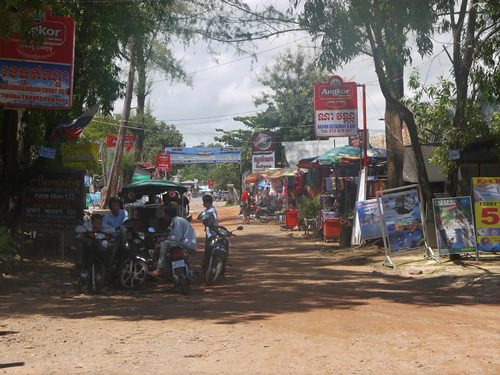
point(117, 160)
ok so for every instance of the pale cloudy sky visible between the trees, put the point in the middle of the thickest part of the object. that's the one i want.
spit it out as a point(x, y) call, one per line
point(226, 88)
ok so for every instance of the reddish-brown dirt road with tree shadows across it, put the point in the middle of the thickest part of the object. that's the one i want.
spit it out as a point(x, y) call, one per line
point(287, 306)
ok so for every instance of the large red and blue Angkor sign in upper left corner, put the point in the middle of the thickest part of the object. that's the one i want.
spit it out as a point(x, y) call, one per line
point(39, 76)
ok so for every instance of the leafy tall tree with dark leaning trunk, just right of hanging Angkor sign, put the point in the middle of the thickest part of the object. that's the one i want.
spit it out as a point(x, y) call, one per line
point(380, 29)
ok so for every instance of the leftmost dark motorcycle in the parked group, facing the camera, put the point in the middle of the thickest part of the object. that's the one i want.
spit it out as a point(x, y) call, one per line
point(93, 272)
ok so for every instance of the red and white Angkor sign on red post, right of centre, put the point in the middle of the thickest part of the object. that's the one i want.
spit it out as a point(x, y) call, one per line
point(336, 108)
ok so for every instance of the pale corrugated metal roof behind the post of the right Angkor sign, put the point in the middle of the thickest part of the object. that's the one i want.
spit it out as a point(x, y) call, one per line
point(295, 151)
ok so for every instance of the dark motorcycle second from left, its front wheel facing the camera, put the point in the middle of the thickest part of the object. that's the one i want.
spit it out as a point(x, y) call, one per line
point(134, 259)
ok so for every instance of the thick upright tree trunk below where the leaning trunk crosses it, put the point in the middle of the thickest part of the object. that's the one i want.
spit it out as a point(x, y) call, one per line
point(395, 147)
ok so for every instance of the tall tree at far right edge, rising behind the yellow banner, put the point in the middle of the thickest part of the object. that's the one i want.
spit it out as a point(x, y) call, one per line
point(475, 26)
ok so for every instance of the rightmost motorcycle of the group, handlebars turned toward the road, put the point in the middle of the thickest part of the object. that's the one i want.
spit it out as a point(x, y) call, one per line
point(218, 248)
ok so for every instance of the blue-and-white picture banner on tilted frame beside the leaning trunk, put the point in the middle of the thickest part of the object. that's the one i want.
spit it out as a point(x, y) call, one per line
point(403, 221)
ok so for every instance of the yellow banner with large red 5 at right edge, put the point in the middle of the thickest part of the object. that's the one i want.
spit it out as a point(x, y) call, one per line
point(486, 191)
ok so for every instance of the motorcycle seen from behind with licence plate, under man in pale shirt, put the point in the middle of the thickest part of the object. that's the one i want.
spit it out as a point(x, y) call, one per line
point(178, 259)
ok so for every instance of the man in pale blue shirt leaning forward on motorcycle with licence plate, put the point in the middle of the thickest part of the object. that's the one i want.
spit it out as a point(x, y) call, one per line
point(181, 233)
